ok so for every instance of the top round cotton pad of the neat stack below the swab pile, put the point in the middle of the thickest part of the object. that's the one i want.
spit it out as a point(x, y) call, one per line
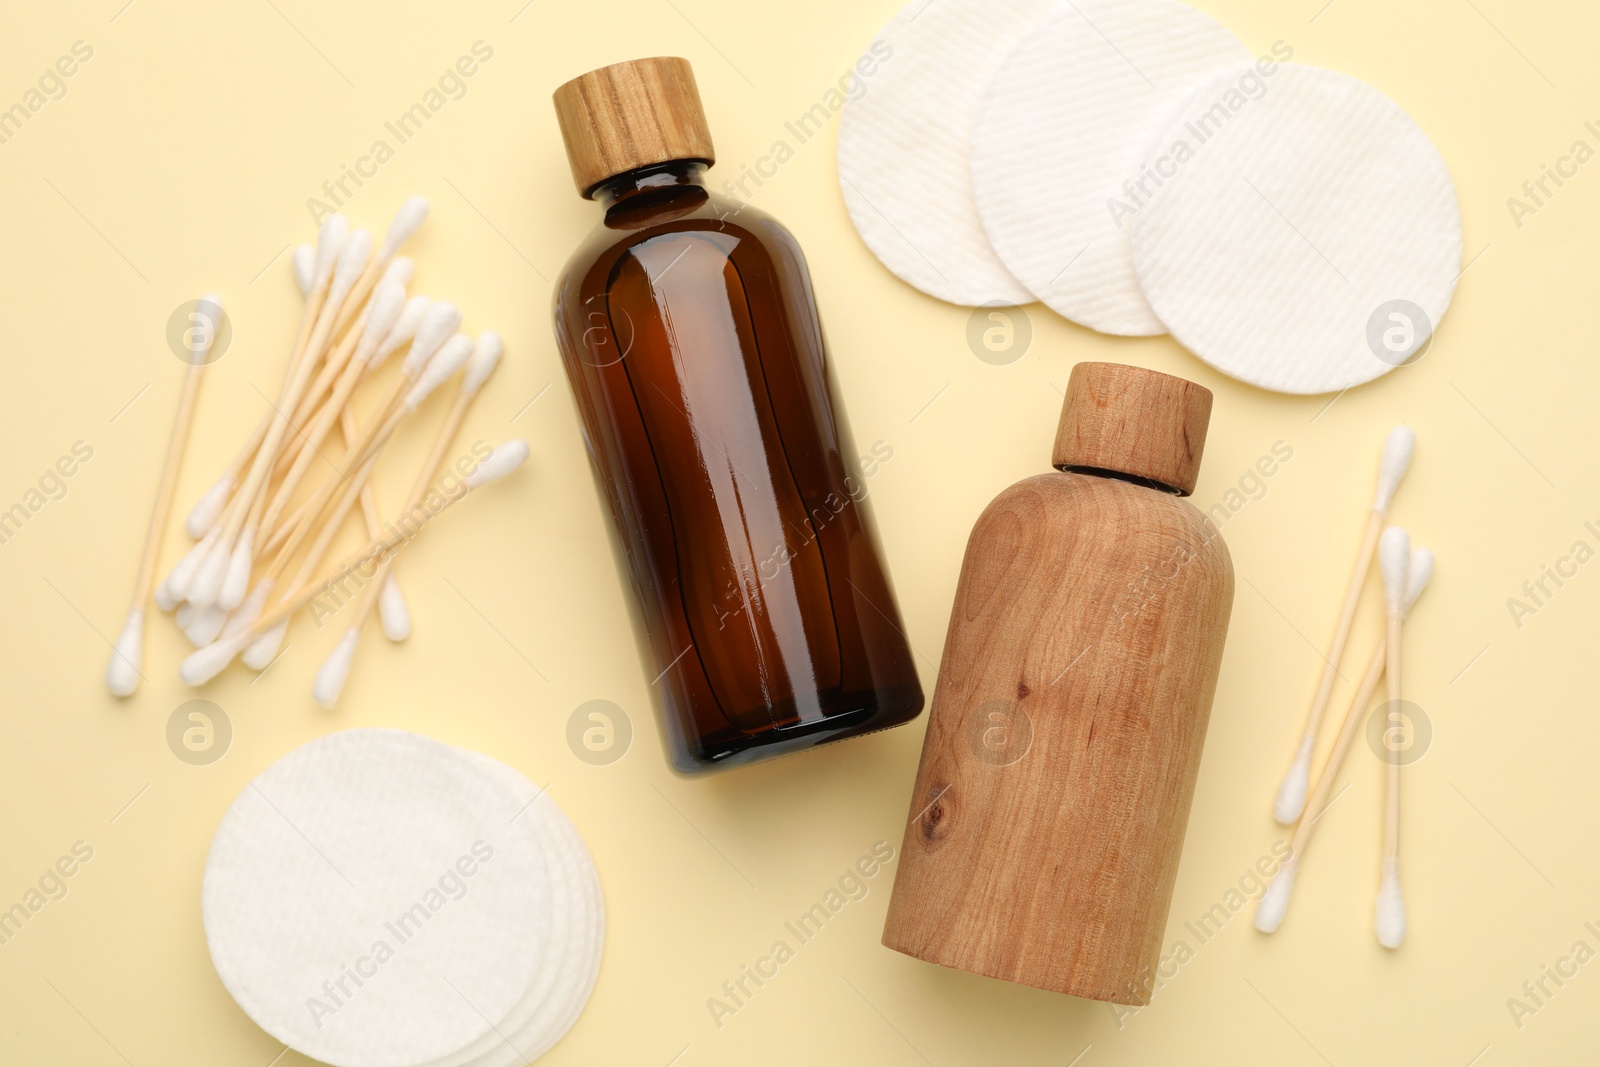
point(393, 807)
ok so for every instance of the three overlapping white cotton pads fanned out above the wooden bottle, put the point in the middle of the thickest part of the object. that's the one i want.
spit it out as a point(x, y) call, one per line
point(1130, 166)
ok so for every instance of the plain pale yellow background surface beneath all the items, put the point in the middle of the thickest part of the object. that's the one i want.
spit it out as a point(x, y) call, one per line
point(180, 161)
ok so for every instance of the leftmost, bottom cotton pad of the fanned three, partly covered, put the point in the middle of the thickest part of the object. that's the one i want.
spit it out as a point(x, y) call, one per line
point(905, 143)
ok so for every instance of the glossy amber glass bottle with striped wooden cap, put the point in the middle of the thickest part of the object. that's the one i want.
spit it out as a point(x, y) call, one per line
point(692, 342)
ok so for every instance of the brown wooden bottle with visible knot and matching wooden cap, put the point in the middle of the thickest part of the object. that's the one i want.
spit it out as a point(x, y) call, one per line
point(1073, 701)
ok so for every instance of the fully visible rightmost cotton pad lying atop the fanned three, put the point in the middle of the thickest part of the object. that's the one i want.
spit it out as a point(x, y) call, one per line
point(1310, 239)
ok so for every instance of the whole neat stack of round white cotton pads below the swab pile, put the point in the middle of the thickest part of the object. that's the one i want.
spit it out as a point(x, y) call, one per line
point(382, 900)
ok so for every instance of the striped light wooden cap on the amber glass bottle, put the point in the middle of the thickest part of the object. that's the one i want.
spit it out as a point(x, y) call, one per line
point(628, 116)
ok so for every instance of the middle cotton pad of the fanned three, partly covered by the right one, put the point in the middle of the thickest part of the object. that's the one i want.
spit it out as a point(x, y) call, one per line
point(1062, 148)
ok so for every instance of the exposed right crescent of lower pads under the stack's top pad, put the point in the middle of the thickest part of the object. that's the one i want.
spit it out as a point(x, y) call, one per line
point(553, 1004)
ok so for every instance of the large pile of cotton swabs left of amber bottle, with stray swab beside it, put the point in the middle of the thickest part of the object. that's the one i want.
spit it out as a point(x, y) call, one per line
point(265, 529)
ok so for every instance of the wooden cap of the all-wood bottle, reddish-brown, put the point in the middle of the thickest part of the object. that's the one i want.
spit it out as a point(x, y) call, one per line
point(1137, 423)
